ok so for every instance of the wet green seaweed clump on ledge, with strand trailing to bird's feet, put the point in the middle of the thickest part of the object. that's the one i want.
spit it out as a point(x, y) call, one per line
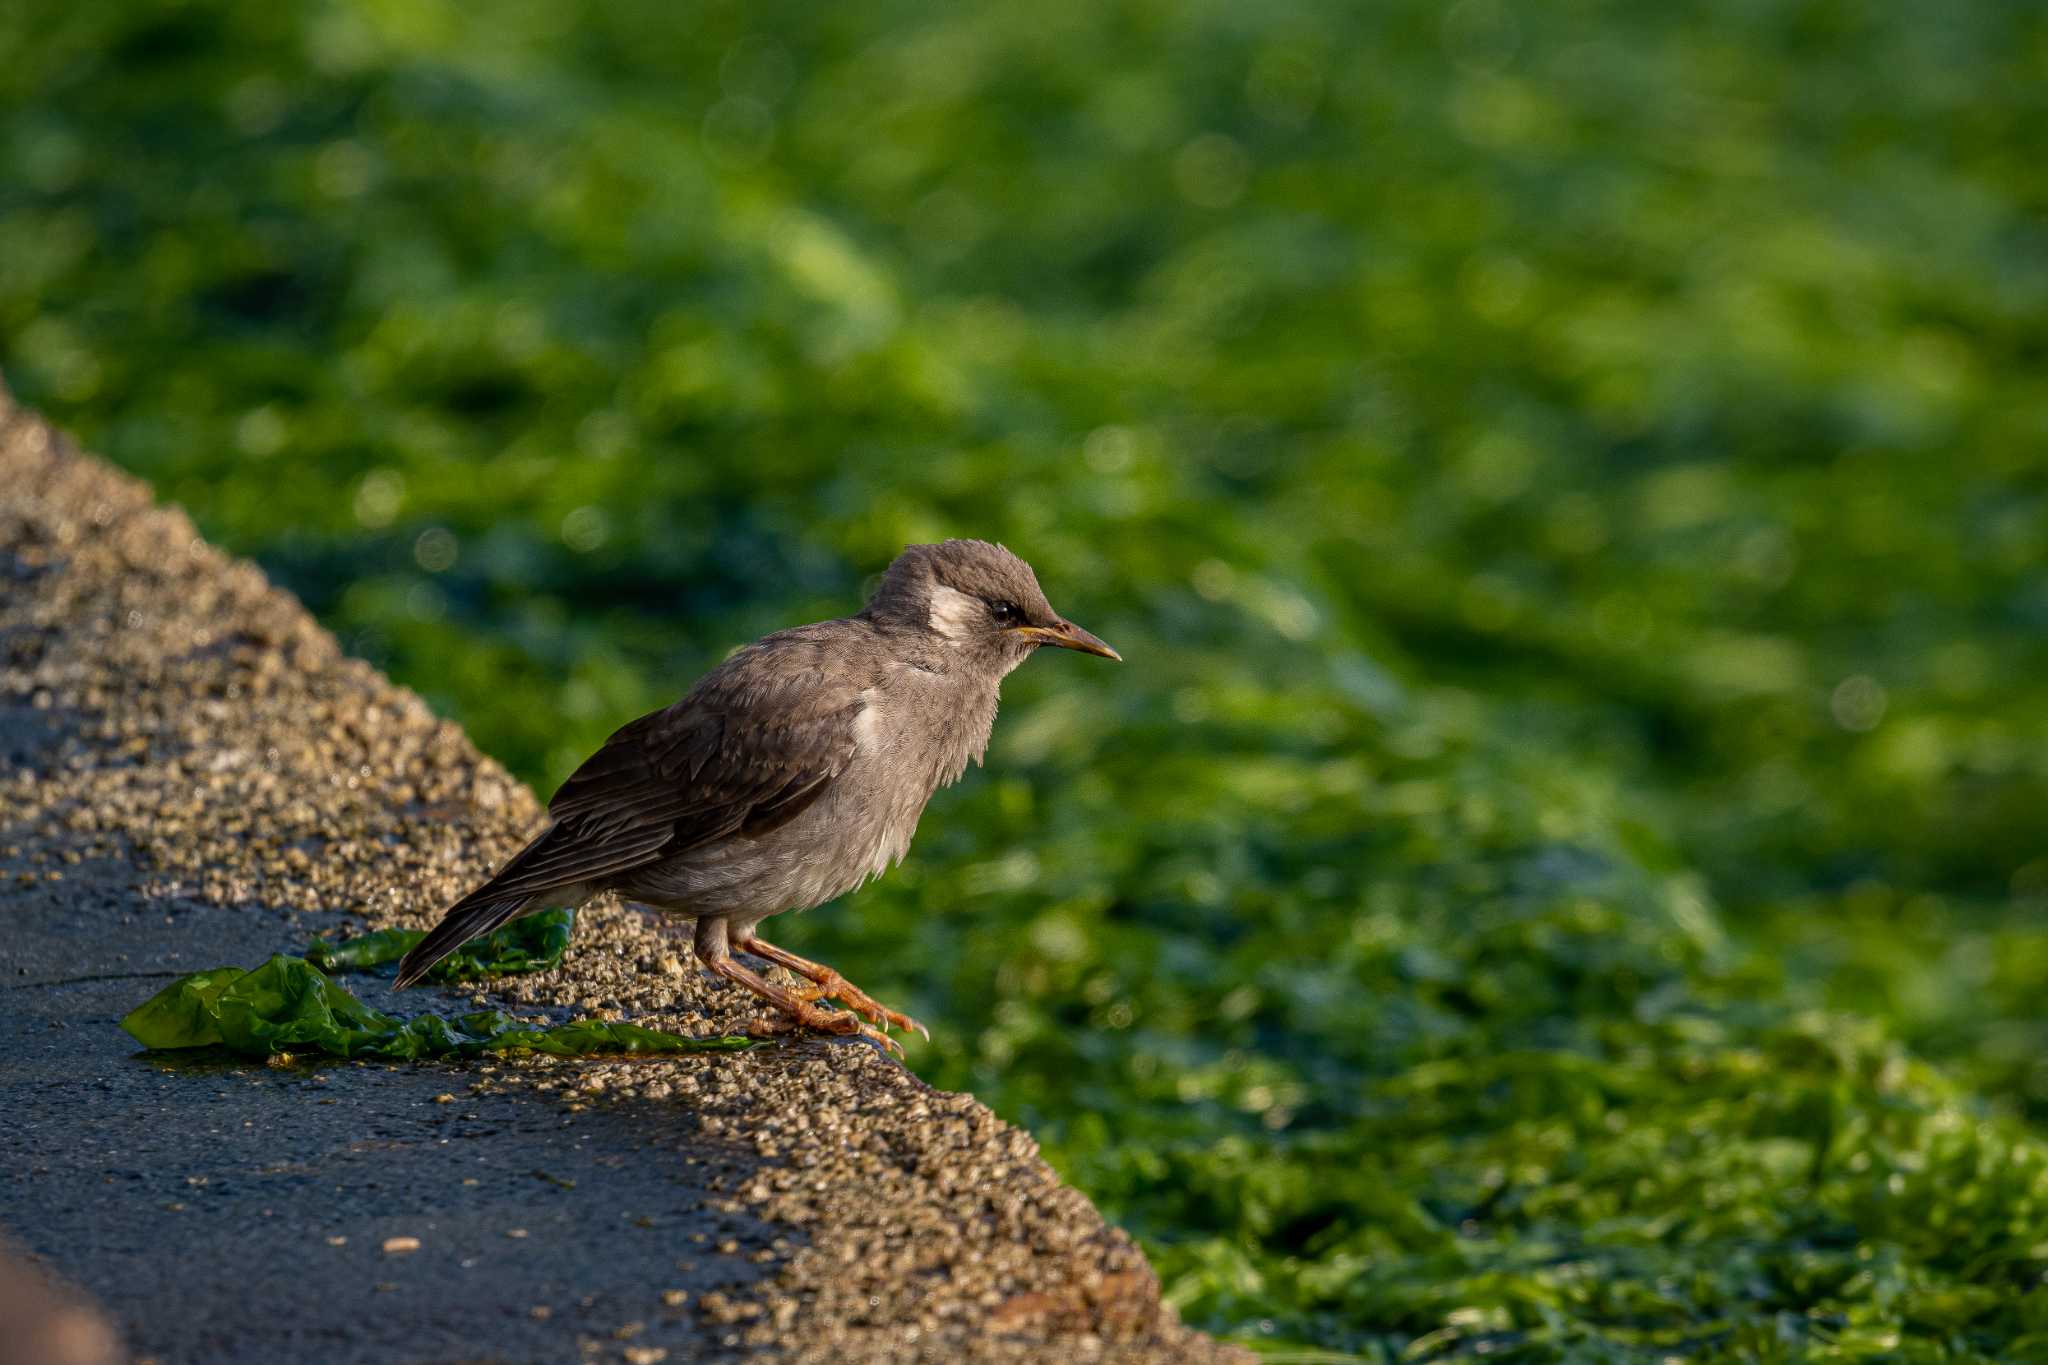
point(292, 1006)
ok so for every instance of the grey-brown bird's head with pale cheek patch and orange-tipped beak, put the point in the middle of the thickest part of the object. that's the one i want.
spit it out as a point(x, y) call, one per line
point(980, 601)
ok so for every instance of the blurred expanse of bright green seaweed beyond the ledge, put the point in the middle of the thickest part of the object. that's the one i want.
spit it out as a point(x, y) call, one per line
point(1562, 873)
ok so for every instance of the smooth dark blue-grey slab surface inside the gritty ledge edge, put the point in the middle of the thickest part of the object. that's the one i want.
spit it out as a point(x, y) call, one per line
point(224, 1210)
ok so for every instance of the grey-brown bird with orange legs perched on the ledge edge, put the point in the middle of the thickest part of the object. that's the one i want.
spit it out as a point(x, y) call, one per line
point(787, 777)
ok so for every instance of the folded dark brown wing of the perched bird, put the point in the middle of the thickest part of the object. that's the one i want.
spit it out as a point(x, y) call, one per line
point(755, 744)
